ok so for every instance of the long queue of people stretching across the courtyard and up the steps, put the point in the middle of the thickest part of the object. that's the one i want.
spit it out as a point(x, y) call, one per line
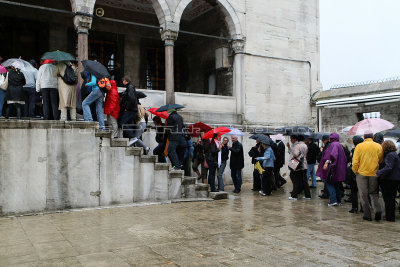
point(370, 167)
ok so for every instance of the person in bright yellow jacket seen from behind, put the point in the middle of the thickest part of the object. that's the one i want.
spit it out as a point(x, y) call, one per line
point(367, 157)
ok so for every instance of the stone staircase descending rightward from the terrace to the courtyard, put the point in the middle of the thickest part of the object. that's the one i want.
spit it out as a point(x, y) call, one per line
point(150, 183)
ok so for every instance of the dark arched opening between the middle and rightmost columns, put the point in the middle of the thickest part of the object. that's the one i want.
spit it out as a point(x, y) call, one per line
point(207, 65)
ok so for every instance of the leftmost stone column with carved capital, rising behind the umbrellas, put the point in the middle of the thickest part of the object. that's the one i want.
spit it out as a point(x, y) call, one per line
point(82, 26)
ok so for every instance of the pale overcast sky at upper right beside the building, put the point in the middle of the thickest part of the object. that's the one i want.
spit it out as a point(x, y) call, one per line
point(360, 40)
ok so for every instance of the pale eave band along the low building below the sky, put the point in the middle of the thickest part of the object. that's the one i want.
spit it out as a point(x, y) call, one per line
point(355, 101)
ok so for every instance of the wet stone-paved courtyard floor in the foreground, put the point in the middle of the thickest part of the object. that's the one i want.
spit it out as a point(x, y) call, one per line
point(245, 230)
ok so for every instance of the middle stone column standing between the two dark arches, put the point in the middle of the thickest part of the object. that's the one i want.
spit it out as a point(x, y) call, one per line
point(169, 37)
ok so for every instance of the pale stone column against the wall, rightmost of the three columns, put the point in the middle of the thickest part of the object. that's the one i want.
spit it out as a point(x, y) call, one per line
point(238, 75)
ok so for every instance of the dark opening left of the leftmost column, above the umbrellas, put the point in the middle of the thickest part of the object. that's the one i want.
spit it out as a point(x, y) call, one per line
point(28, 32)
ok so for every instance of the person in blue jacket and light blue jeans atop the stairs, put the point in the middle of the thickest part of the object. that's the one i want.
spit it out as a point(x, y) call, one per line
point(96, 96)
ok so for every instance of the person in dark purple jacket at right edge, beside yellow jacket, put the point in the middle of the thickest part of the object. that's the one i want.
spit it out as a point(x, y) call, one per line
point(389, 177)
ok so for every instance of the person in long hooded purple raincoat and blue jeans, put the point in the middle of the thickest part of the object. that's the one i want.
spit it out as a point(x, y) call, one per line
point(332, 169)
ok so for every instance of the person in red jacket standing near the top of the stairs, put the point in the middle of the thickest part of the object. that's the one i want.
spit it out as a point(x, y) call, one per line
point(111, 108)
